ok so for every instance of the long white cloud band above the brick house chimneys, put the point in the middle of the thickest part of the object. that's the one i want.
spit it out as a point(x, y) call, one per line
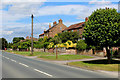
point(66, 10)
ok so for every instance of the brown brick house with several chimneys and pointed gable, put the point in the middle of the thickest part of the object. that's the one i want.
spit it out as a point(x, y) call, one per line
point(53, 30)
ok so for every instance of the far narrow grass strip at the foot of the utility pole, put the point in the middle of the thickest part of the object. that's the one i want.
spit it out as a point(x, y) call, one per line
point(27, 53)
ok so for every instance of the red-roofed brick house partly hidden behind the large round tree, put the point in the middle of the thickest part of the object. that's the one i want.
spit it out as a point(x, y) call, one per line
point(79, 27)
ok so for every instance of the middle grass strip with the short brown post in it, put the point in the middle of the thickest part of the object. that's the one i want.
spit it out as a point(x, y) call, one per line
point(65, 57)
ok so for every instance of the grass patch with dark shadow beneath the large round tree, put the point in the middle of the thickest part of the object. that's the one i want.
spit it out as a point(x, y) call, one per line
point(97, 65)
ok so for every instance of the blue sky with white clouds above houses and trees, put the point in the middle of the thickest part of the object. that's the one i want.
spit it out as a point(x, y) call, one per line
point(15, 15)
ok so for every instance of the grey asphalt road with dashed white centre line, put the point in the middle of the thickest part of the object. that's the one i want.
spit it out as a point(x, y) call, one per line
point(16, 66)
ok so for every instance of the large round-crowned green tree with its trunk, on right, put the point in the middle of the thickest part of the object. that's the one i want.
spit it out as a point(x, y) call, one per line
point(102, 29)
